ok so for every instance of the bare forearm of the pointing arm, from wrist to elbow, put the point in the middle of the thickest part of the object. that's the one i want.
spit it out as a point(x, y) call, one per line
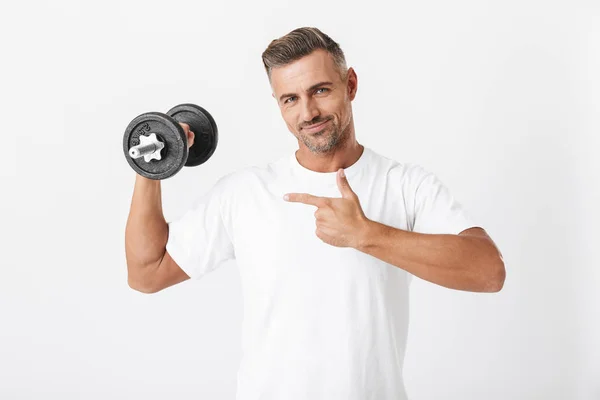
point(459, 262)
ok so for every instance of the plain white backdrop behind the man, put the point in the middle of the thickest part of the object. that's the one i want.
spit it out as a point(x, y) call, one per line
point(500, 99)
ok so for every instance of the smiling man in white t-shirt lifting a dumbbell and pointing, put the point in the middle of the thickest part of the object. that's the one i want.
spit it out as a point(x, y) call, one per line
point(326, 241)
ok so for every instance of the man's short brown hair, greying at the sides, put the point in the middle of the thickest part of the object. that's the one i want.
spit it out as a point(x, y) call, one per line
point(299, 43)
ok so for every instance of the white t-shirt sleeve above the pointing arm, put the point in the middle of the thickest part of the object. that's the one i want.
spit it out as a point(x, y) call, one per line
point(436, 211)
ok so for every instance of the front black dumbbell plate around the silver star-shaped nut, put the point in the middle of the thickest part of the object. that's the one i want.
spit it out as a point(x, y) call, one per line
point(173, 155)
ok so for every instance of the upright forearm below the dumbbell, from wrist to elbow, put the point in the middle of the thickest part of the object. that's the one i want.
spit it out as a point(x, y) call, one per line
point(146, 232)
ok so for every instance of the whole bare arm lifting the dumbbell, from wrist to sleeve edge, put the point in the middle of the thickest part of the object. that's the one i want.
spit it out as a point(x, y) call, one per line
point(150, 268)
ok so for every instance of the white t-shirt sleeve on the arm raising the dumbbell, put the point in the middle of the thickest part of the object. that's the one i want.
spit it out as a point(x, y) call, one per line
point(199, 240)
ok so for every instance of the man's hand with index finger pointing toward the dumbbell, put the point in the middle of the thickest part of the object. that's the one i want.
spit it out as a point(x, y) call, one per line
point(341, 222)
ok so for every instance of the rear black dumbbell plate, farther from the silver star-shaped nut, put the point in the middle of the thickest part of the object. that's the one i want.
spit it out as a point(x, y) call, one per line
point(205, 130)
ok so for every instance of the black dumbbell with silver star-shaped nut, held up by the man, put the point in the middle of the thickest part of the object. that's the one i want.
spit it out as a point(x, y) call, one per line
point(156, 145)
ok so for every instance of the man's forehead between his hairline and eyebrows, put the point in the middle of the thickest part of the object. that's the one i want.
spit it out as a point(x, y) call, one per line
point(305, 72)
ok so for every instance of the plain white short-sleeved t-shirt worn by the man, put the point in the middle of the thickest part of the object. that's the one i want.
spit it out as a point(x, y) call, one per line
point(320, 322)
